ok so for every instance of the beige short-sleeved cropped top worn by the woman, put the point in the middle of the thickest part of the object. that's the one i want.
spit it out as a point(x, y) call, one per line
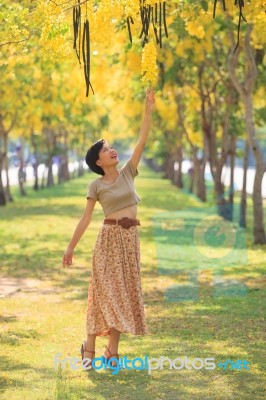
point(116, 195)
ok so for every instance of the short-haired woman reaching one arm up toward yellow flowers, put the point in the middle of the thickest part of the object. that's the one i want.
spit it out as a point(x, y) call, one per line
point(115, 303)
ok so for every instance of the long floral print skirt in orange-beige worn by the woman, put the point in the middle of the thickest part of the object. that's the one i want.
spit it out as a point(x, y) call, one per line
point(115, 298)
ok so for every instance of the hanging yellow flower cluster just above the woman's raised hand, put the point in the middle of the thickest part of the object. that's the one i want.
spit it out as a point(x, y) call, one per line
point(149, 68)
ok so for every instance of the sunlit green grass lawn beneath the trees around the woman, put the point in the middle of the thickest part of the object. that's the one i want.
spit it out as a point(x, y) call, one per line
point(191, 306)
